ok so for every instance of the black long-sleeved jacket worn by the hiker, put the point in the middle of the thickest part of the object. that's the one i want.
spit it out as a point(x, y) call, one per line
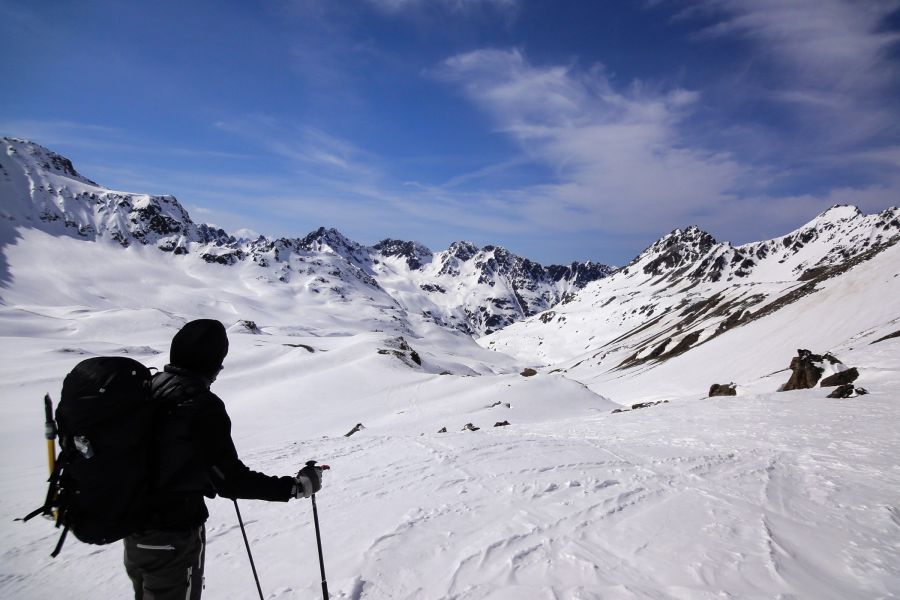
point(194, 455)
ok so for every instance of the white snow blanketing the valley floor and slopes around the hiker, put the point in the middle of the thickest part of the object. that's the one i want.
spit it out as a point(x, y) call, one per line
point(761, 495)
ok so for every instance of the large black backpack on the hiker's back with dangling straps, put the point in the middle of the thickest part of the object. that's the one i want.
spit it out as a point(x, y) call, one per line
point(101, 481)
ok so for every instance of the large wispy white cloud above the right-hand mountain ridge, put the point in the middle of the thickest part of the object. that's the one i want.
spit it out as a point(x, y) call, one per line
point(618, 157)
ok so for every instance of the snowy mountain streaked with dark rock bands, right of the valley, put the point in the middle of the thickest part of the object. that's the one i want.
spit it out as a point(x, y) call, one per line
point(686, 290)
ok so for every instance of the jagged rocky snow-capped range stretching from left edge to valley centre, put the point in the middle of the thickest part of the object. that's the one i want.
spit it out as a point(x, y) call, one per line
point(474, 290)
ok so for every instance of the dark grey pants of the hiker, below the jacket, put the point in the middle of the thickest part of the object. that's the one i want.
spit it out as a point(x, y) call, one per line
point(166, 565)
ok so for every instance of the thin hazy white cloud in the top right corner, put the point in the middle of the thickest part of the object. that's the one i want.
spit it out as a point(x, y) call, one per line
point(830, 60)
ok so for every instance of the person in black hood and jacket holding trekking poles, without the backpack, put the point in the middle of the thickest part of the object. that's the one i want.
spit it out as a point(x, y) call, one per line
point(194, 457)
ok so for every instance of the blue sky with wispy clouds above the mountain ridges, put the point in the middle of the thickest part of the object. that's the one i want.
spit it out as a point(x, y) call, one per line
point(562, 130)
